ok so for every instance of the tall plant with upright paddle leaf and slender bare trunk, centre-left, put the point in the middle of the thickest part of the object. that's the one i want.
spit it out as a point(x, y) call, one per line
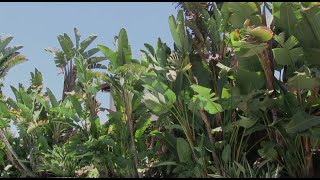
point(127, 72)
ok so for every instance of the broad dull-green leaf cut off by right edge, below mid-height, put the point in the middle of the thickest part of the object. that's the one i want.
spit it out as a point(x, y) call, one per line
point(301, 121)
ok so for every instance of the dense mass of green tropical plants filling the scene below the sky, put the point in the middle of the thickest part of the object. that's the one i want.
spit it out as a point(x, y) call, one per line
point(237, 96)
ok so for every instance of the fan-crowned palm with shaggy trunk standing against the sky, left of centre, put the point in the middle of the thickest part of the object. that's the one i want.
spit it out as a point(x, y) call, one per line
point(65, 61)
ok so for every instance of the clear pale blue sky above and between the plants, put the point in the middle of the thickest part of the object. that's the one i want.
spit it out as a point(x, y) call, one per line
point(36, 26)
